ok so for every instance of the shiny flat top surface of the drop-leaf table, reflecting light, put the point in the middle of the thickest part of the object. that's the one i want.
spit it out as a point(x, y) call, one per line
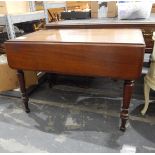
point(97, 36)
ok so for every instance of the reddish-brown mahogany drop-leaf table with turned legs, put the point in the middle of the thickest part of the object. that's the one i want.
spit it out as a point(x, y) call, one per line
point(115, 53)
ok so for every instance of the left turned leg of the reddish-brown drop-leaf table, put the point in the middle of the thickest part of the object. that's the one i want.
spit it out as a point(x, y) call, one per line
point(25, 98)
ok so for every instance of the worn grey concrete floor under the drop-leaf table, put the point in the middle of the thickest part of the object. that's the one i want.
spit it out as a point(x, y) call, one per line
point(77, 115)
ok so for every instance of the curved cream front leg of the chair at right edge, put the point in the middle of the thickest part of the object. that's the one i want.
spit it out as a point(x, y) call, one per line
point(146, 96)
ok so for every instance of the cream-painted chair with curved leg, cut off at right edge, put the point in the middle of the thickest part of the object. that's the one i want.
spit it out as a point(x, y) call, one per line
point(149, 79)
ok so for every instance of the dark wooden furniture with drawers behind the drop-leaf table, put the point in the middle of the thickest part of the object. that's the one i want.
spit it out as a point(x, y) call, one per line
point(146, 25)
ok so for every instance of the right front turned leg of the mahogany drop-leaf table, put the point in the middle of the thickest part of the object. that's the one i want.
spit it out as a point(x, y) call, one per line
point(127, 93)
